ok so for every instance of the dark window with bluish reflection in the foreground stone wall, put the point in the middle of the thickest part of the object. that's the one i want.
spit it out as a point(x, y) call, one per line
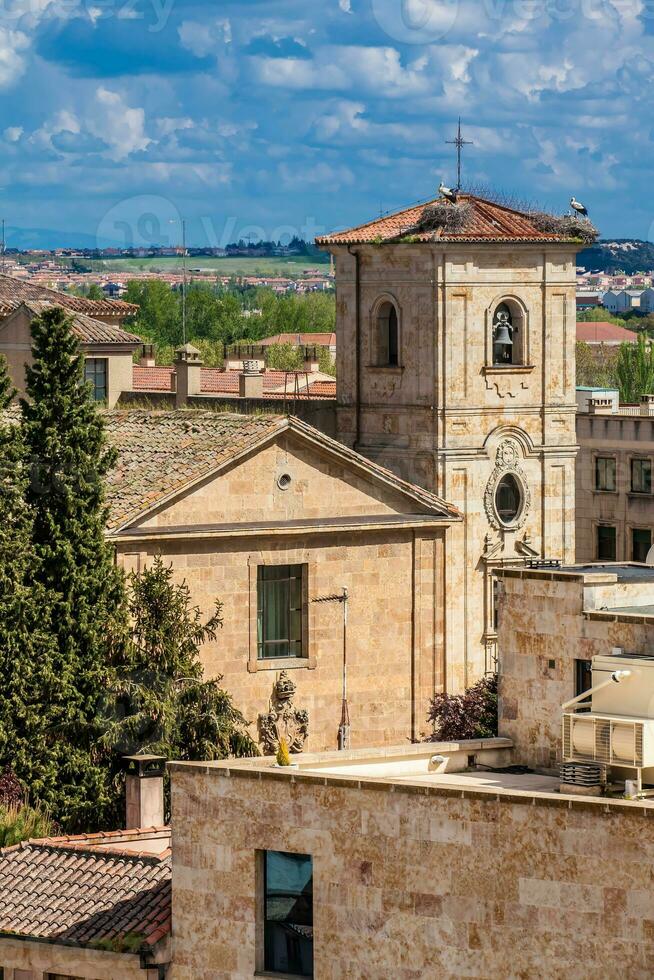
point(288, 913)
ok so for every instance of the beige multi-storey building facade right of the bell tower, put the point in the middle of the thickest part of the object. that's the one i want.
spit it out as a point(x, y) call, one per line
point(623, 435)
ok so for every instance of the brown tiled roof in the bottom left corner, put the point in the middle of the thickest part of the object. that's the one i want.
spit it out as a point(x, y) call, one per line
point(70, 889)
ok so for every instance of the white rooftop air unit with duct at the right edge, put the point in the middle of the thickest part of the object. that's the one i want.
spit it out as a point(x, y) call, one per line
point(618, 731)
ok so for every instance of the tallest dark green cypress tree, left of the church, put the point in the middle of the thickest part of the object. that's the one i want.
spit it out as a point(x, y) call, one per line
point(68, 458)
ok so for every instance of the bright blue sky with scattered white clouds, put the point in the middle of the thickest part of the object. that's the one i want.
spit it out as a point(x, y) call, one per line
point(274, 117)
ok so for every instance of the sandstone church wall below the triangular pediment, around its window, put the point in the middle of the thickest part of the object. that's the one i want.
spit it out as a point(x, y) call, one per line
point(395, 579)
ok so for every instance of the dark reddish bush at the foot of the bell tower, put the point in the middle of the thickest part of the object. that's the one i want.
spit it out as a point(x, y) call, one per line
point(469, 715)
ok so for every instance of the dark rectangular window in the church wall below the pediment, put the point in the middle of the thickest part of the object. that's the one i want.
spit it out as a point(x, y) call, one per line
point(280, 610)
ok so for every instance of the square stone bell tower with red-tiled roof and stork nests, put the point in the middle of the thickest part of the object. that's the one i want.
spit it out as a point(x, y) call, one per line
point(456, 369)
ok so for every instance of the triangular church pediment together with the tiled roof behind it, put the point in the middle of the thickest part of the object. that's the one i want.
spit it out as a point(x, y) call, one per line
point(268, 469)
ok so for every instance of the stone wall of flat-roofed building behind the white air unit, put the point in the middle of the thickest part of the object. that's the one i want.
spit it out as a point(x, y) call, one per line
point(549, 621)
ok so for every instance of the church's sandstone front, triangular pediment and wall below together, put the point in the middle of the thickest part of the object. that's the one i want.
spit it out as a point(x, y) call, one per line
point(347, 529)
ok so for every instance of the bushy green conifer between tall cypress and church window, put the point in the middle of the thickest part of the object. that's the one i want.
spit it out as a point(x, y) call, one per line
point(165, 704)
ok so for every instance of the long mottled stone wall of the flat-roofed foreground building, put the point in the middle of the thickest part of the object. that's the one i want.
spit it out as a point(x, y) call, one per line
point(412, 881)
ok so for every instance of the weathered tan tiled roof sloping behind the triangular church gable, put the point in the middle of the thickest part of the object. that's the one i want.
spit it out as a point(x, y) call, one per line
point(161, 453)
